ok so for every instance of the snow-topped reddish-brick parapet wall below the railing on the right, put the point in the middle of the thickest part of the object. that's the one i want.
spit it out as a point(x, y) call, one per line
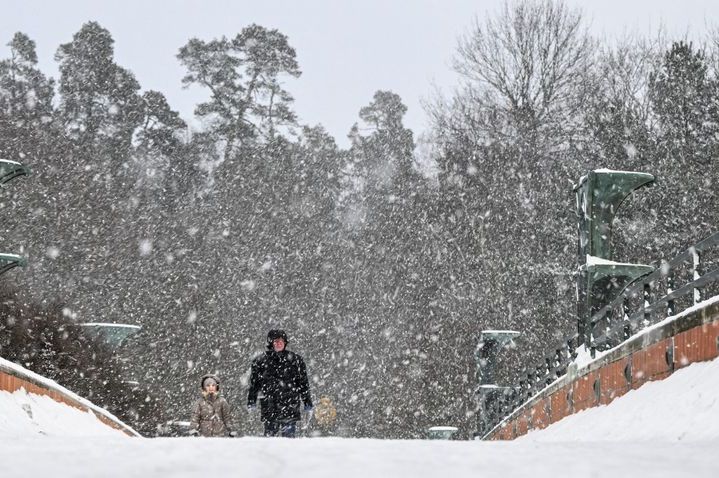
point(652, 354)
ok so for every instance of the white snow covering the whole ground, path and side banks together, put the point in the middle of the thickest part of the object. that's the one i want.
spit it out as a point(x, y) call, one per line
point(664, 429)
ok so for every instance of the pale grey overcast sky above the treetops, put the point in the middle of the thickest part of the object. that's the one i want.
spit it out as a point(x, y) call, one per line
point(346, 50)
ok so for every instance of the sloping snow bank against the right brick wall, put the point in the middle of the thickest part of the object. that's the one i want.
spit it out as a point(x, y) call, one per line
point(682, 407)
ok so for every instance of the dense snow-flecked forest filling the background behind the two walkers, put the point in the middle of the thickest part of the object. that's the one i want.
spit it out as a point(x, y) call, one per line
point(382, 275)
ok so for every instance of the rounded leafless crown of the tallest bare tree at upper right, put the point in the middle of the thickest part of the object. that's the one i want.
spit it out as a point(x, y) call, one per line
point(528, 66)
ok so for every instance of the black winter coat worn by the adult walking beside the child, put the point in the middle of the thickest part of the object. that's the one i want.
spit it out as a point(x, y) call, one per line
point(280, 381)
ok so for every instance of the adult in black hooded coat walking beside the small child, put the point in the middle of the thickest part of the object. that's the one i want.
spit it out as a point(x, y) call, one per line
point(279, 379)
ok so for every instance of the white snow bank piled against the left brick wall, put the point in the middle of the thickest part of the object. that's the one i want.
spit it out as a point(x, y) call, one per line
point(26, 414)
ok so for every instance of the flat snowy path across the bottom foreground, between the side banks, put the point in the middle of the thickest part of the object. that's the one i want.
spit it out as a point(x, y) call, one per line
point(333, 457)
